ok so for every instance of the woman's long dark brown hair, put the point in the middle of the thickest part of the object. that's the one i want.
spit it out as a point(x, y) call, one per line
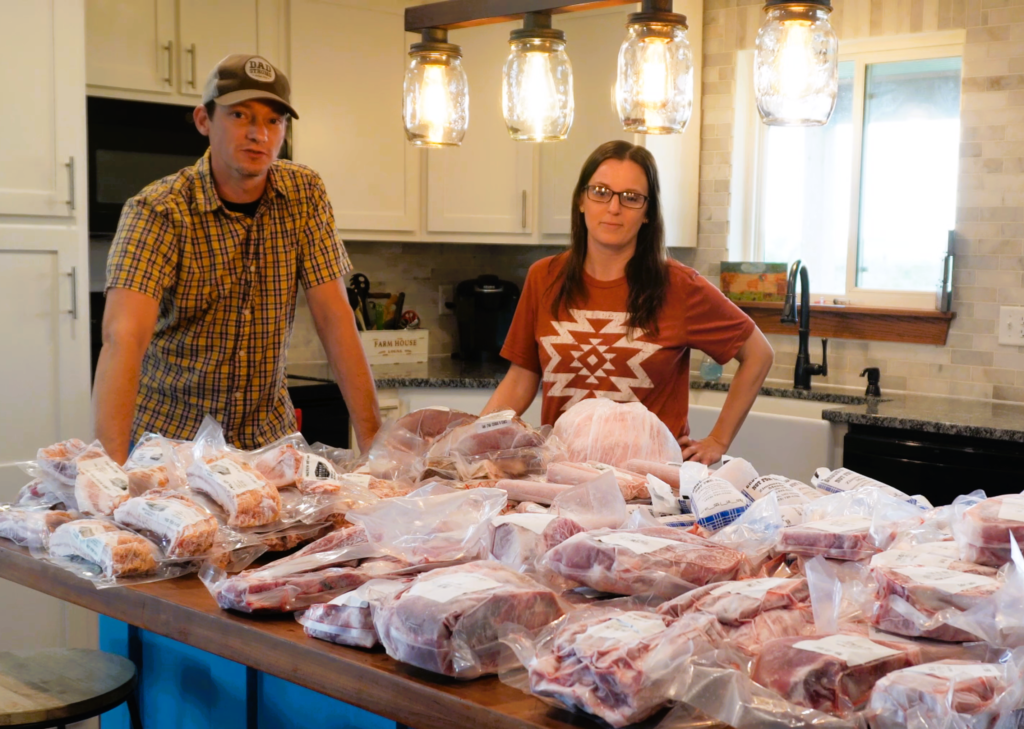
point(647, 273)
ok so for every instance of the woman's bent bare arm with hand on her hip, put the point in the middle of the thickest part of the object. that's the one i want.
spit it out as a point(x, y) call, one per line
point(755, 359)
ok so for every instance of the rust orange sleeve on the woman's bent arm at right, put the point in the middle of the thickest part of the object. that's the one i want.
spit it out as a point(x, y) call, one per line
point(714, 325)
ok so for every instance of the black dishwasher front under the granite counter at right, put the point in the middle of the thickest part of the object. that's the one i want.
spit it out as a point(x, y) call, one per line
point(938, 466)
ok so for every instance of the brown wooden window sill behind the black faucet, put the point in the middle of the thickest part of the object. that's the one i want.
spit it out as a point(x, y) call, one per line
point(874, 325)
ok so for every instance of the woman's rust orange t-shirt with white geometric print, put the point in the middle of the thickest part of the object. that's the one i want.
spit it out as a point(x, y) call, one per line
point(589, 352)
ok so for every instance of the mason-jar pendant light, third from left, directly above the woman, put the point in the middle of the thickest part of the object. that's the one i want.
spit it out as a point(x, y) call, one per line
point(655, 89)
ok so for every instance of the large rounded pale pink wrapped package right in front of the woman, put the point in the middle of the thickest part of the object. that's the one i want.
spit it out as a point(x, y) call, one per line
point(613, 434)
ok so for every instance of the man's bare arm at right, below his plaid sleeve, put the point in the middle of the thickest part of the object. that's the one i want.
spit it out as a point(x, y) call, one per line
point(336, 327)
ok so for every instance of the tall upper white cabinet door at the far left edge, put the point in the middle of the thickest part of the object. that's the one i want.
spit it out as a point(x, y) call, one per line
point(41, 48)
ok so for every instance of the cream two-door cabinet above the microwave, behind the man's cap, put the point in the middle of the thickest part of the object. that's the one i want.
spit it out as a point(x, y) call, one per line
point(162, 51)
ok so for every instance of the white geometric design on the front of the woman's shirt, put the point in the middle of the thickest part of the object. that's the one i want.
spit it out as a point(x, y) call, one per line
point(567, 331)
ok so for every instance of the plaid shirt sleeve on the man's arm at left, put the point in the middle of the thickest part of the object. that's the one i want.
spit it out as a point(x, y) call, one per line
point(144, 256)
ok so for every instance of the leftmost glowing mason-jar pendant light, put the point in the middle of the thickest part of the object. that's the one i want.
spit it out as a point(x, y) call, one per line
point(436, 108)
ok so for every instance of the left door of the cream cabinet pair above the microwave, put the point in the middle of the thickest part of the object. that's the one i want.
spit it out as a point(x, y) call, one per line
point(130, 45)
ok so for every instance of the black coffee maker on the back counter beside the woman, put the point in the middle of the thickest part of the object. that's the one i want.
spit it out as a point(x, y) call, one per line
point(484, 310)
